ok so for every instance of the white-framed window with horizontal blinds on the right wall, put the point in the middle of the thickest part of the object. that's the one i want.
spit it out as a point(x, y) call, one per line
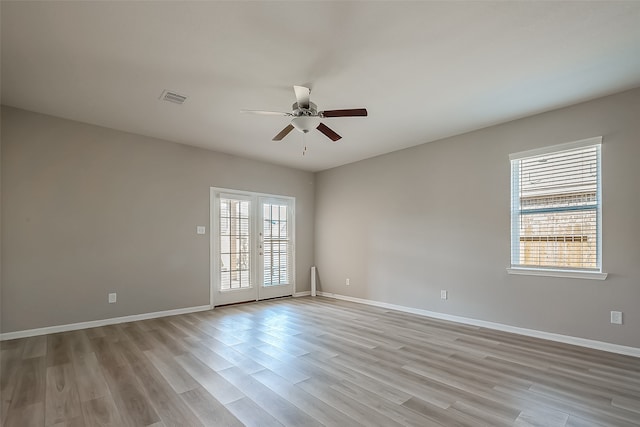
point(556, 210)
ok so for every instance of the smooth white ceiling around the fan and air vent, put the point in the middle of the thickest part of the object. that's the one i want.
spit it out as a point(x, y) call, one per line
point(424, 70)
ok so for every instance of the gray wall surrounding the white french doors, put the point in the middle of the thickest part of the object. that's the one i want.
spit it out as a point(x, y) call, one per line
point(88, 210)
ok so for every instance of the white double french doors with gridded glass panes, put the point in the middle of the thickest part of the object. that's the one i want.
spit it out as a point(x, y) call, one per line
point(252, 246)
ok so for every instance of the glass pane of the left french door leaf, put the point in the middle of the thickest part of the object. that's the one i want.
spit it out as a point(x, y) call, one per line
point(235, 247)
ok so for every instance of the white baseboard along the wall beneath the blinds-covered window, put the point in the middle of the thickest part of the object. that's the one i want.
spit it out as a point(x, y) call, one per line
point(583, 342)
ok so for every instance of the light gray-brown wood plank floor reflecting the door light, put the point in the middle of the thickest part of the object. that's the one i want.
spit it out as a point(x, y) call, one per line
point(310, 362)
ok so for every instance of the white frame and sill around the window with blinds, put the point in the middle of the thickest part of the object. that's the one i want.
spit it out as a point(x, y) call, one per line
point(515, 215)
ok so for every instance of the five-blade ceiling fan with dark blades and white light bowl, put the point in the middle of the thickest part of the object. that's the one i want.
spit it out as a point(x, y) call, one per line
point(307, 117)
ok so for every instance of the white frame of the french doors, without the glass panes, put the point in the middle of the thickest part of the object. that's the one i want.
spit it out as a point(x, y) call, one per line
point(214, 272)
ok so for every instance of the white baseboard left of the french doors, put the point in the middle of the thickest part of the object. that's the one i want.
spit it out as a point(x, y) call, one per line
point(102, 322)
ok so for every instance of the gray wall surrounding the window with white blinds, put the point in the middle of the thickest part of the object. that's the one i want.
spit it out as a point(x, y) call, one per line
point(405, 225)
